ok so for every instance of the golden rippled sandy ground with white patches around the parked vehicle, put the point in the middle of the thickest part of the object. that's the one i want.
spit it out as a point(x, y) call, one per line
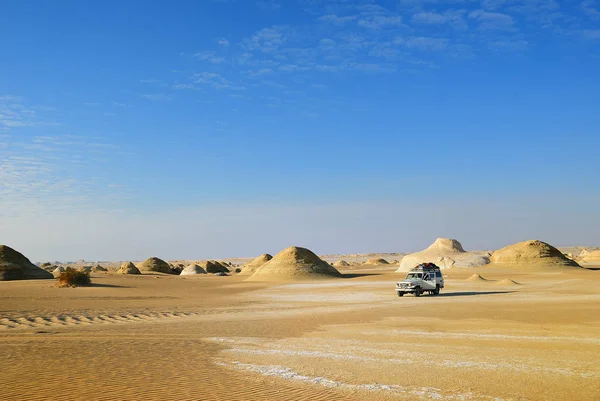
point(220, 338)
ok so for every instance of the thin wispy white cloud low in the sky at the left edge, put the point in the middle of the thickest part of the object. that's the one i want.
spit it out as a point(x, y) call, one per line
point(47, 174)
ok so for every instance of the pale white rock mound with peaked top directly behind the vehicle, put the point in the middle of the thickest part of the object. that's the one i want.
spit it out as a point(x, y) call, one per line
point(446, 253)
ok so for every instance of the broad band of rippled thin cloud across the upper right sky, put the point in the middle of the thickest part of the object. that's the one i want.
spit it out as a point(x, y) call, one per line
point(341, 36)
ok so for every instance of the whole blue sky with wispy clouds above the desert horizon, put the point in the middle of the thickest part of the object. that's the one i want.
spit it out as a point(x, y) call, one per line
point(231, 128)
